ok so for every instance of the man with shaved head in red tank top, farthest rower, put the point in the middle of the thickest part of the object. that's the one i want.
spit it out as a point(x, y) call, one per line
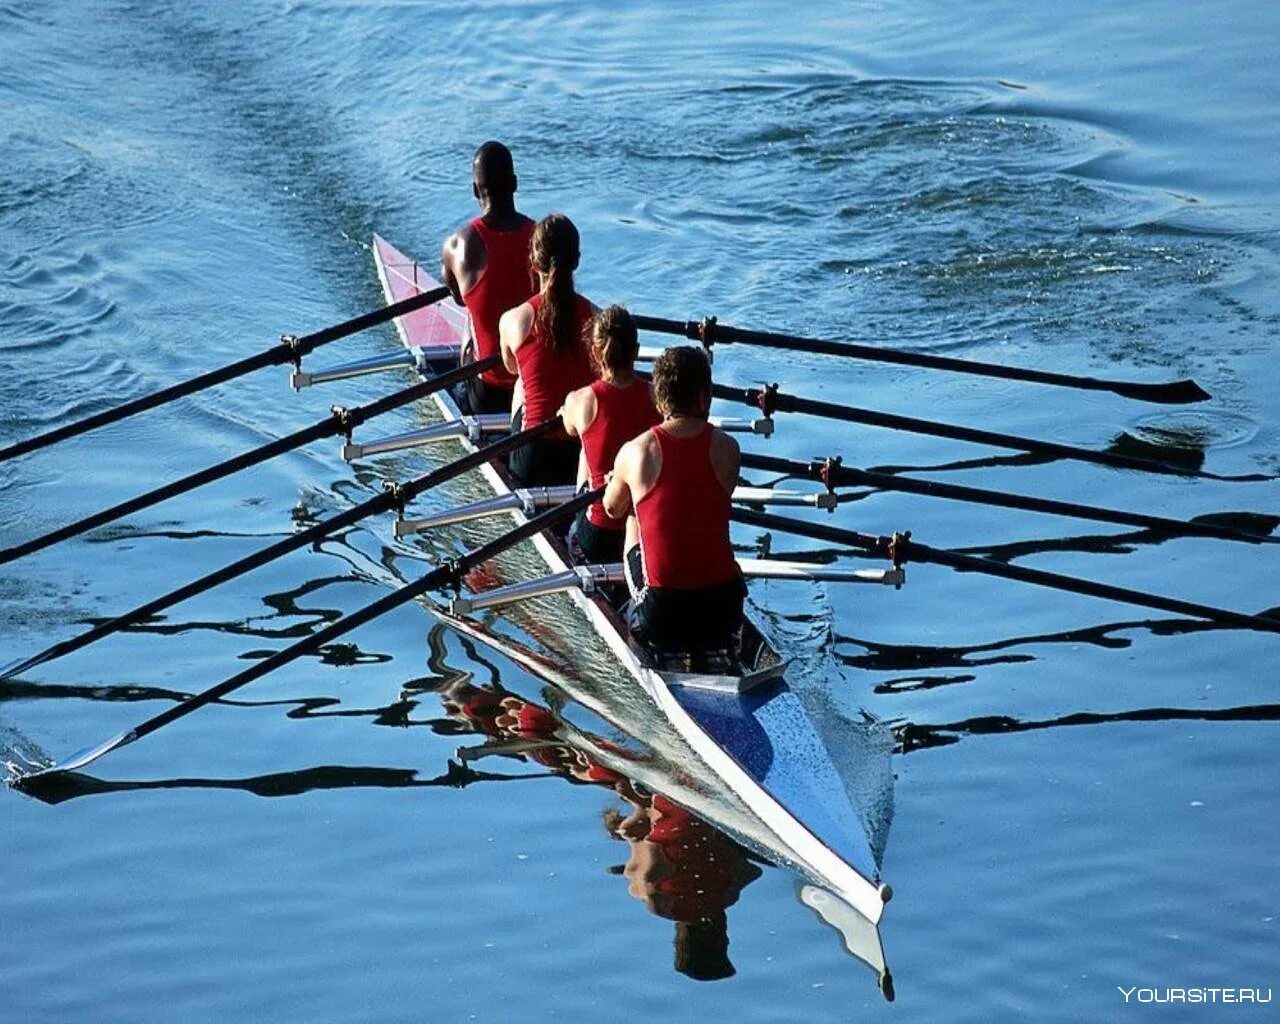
point(487, 267)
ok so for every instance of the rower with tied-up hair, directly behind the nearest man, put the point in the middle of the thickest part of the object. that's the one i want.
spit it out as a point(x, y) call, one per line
point(606, 415)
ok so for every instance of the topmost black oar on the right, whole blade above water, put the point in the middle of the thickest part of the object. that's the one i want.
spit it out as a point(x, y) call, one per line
point(710, 332)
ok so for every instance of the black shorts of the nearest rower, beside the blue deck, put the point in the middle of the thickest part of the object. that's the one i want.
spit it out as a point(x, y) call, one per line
point(706, 619)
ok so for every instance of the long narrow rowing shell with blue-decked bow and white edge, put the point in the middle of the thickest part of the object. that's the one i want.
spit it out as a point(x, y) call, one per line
point(757, 748)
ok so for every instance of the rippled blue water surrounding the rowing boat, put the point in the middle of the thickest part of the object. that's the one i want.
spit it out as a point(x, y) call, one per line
point(1084, 793)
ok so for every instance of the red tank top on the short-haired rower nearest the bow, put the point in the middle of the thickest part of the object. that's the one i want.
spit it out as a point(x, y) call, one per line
point(684, 519)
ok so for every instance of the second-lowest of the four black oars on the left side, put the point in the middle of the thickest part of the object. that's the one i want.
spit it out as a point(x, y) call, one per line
point(394, 497)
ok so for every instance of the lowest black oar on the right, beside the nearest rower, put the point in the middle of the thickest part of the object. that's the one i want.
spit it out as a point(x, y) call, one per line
point(1040, 578)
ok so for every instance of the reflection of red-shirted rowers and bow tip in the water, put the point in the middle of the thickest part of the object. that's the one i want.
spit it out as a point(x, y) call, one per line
point(679, 866)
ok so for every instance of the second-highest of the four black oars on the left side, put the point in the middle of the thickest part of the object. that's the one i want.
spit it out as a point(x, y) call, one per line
point(342, 420)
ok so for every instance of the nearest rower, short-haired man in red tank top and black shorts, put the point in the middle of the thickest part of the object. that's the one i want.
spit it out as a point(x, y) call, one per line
point(678, 478)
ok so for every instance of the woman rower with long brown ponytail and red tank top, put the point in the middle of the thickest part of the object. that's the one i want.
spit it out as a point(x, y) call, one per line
point(546, 341)
